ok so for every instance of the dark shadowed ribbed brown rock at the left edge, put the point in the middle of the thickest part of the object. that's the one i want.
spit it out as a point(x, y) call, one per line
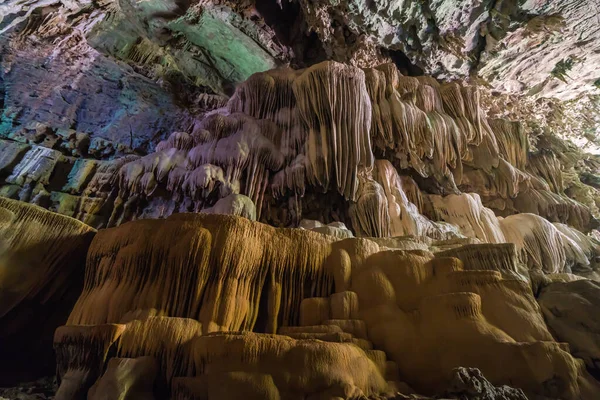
point(42, 259)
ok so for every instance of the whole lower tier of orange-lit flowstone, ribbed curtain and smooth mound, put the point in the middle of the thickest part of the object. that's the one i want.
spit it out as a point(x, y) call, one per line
point(389, 317)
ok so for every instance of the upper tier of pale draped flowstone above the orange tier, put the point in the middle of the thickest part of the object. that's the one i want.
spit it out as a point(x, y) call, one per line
point(382, 153)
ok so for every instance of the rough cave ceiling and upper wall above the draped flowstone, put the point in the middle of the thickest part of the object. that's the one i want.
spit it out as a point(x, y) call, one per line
point(536, 48)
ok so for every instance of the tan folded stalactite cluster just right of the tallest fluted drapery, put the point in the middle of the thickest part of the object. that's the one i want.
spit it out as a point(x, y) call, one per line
point(433, 126)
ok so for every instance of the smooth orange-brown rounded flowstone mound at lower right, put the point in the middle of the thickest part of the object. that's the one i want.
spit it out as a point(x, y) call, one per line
point(408, 318)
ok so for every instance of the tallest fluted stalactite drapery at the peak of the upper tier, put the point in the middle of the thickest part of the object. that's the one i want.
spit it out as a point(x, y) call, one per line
point(334, 104)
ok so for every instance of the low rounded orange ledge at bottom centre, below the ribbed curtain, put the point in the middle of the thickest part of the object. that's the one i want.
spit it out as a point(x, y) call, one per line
point(233, 365)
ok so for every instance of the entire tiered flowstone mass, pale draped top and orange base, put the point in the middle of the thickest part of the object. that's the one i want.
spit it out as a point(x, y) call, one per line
point(459, 222)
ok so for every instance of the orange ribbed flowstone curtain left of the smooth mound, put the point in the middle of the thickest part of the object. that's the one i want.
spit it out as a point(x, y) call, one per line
point(213, 279)
